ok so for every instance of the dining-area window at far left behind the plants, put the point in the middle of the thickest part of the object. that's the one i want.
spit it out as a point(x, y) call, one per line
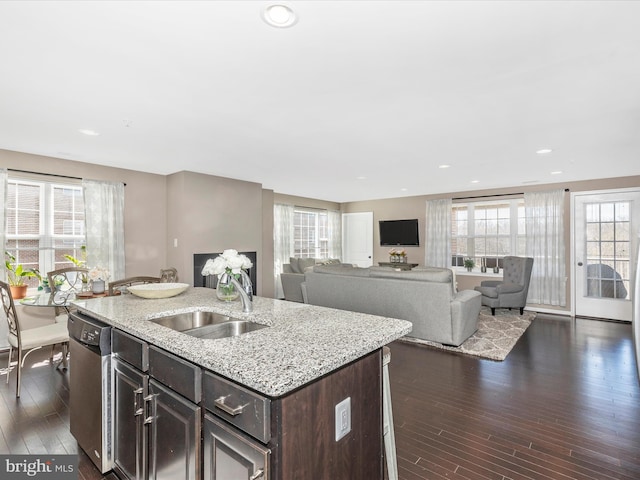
point(45, 221)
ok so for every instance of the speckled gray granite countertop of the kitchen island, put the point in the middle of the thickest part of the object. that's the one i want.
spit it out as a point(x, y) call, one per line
point(303, 343)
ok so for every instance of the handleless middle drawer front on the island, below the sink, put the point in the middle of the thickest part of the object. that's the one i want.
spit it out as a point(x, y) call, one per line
point(176, 373)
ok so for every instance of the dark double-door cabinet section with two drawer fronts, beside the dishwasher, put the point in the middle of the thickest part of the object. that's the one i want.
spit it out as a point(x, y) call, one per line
point(157, 431)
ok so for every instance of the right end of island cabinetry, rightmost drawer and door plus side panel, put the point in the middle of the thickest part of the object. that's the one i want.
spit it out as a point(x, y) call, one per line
point(293, 437)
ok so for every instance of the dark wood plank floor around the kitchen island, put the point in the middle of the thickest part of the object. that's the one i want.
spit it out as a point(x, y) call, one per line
point(565, 404)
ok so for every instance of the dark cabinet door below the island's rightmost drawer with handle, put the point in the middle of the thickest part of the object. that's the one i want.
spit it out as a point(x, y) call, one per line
point(229, 455)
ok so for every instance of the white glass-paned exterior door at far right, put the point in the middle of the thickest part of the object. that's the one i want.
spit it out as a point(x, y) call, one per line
point(605, 242)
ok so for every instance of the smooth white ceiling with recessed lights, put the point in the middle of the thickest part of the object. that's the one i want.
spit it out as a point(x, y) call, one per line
point(386, 90)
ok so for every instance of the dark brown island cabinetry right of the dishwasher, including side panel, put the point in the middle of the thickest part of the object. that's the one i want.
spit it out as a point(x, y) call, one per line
point(194, 425)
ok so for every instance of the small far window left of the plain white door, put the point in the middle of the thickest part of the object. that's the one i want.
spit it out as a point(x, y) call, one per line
point(310, 233)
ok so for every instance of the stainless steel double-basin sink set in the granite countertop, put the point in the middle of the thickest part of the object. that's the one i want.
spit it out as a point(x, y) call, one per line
point(210, 325)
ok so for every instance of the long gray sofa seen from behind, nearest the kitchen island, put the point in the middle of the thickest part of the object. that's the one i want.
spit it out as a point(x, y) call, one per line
point(426, 297)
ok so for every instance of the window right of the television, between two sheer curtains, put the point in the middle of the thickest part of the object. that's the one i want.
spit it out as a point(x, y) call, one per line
point(489, 230)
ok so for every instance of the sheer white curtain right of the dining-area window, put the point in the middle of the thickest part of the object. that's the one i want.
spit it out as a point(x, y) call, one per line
point(104, 217)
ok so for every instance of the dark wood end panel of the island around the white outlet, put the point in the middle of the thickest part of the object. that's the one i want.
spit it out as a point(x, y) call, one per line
point(308, 448)
